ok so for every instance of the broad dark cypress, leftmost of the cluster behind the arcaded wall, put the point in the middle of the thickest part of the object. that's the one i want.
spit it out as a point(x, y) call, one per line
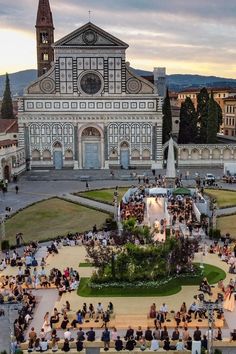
point(188, 122)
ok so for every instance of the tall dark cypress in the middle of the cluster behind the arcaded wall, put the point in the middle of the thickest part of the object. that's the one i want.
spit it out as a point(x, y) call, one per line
point(202, 114)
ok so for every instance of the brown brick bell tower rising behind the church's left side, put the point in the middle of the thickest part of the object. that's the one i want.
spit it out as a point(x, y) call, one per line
point(44, 36)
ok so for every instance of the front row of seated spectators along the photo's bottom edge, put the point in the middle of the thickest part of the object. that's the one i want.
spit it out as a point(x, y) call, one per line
point(152, 339)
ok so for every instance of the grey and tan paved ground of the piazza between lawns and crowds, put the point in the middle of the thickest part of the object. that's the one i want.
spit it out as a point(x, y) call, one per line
point(31, 191)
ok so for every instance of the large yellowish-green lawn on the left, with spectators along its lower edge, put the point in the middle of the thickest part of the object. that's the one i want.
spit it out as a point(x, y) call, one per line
point(50, 218)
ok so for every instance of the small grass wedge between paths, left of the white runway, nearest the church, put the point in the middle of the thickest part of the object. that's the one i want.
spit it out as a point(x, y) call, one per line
point(104, 195)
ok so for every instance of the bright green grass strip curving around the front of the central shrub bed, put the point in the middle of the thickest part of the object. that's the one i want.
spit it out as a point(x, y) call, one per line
point(213, 274)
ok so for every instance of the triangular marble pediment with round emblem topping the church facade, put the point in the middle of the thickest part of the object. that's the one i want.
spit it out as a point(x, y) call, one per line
point(90, 35)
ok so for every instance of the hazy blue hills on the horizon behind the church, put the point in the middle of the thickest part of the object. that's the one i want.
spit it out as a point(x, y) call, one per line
point(176, 82)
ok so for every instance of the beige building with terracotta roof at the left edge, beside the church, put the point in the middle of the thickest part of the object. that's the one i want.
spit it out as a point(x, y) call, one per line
point(12, 157)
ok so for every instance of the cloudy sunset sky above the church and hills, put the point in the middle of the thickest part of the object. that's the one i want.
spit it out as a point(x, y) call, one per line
point(185, 36)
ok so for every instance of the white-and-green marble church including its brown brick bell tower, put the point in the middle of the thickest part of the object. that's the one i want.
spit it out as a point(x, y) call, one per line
point(88, 109)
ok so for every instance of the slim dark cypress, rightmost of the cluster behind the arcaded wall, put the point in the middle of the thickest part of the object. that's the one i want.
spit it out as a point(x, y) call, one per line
point(212, 121)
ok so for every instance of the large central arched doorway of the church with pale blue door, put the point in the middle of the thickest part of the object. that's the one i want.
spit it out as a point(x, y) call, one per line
point(91, 148)
